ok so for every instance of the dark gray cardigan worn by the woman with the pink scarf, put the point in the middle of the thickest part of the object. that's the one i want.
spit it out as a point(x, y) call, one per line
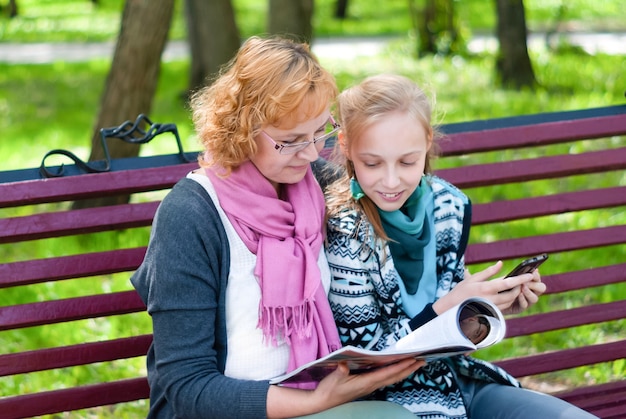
point(182, 281)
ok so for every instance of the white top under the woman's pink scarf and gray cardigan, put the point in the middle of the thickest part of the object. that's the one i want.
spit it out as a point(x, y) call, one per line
point(249, 356)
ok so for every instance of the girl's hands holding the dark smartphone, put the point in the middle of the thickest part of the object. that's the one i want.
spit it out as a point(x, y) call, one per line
point(510, 295)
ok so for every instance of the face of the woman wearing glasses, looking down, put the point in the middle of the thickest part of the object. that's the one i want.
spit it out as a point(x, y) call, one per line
point(288, 168)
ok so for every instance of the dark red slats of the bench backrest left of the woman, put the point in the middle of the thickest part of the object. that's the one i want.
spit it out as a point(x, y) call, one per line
point(60, 221)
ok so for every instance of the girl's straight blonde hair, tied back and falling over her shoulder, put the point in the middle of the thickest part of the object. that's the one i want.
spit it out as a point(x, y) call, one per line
point(361, 106)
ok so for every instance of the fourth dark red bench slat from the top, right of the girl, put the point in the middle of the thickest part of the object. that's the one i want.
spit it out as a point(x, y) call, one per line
point(549, 243)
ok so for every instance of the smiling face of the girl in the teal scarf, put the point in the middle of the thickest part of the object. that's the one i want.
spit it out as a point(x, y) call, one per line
point(389, 159)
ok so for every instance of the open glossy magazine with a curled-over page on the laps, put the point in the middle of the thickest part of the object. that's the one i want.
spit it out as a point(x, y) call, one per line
point(475, 323)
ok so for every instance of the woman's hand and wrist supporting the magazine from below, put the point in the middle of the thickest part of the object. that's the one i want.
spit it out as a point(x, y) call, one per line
point(337, 388)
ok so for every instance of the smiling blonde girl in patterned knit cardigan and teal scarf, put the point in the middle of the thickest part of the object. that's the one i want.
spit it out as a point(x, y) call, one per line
point(396, 242)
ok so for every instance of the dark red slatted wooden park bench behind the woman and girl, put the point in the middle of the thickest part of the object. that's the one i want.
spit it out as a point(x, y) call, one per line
point(552, 150)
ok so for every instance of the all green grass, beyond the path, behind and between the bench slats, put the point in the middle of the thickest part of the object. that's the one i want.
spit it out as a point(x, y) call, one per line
point(54, 106)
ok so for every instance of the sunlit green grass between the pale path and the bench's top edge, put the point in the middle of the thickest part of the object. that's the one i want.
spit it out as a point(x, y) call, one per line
point(54, 116)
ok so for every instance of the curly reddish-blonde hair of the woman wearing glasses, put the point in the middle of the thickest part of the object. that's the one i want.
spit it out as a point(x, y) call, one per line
point(266, 81)
